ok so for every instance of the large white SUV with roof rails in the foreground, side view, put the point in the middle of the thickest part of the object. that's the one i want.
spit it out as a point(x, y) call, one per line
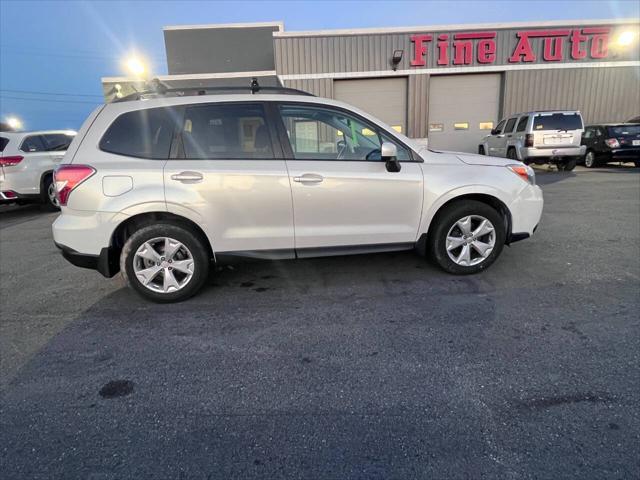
point(158, 188)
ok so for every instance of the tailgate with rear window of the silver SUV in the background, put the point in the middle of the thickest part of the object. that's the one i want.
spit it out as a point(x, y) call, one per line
point(557, 130)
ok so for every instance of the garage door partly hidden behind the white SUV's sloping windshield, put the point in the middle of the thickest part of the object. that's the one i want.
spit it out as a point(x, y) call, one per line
point(384, 98)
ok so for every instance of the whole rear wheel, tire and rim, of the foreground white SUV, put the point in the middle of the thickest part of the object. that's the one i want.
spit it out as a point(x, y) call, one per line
point(165, 263)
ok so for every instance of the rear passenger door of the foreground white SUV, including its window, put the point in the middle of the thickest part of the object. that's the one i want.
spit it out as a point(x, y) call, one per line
point(228, 172)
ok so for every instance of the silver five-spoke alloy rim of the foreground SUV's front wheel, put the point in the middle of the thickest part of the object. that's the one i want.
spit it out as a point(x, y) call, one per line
point(470, 240)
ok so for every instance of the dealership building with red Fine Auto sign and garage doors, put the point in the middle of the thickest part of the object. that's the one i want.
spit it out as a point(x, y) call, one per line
point(450, 84)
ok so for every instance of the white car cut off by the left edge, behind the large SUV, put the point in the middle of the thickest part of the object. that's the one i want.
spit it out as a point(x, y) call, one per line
point(27, 161)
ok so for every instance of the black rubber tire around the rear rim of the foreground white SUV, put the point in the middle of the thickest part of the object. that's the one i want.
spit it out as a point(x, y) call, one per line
point(198, 250)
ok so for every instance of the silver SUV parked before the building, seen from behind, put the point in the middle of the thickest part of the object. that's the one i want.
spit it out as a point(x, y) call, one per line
point(538, 137)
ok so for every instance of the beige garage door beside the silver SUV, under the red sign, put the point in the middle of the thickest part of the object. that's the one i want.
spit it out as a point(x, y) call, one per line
point(462, 109)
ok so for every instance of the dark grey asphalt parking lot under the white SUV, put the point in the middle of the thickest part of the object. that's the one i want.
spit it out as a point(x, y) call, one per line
point(372, 367)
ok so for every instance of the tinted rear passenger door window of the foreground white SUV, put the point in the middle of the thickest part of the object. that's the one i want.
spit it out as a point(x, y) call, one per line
point(226, 132)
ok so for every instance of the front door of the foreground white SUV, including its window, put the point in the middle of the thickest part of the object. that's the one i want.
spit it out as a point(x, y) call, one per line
point(342, 193)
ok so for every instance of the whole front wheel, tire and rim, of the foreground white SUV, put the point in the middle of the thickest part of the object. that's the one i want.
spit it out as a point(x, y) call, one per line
point(467, 237)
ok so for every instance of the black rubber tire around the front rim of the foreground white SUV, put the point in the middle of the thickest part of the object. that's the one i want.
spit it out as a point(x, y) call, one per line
point(446, 219)
